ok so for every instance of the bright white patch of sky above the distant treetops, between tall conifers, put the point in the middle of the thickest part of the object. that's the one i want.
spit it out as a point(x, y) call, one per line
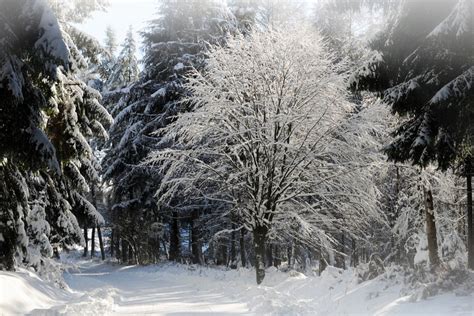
point(120, 15)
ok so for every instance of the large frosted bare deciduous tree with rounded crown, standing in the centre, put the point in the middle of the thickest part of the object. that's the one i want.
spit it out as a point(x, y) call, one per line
point(271, 134)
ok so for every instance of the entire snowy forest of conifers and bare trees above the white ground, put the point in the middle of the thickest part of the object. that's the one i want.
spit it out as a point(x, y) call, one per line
point(271, 136)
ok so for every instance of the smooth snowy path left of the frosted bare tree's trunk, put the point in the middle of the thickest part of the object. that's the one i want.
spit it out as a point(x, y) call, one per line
point(106, 289)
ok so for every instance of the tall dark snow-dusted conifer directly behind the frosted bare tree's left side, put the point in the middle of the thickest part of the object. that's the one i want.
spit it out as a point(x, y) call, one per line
point(174, 43)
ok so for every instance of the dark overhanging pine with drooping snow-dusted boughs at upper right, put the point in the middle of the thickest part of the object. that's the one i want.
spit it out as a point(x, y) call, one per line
point(423, 69)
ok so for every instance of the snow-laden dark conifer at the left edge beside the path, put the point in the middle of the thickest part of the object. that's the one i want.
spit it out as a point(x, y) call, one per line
point(50, 115)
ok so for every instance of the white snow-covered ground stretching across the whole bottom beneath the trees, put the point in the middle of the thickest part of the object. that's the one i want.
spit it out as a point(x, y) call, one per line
point(165, 289)
